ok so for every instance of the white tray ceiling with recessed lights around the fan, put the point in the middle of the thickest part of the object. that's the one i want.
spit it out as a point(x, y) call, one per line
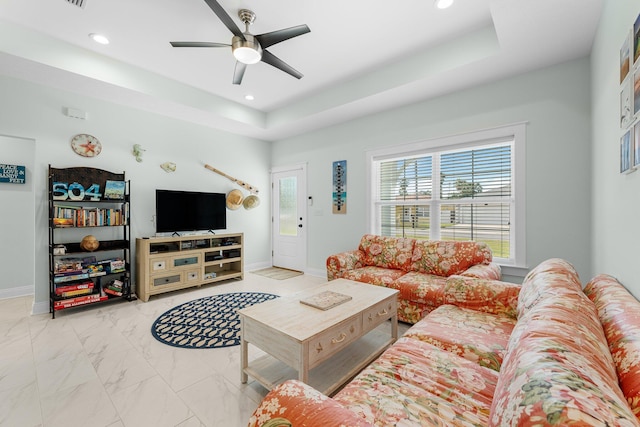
point(361, 56)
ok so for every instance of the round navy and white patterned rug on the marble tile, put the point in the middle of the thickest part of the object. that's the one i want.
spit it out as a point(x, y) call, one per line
point(210, 322)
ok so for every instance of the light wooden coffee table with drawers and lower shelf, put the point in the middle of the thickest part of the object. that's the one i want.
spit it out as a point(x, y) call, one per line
point(323, 348)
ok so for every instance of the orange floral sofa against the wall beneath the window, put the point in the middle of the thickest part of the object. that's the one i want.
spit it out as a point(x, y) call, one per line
point(428, 274)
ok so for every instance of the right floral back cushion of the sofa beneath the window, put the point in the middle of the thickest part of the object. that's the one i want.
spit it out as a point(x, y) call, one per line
point(445, 258)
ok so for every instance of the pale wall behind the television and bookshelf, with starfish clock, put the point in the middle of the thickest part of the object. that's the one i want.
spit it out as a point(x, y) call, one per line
point(33, 111)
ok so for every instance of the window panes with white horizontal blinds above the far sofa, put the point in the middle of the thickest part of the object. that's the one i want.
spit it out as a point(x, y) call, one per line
point(449, 194)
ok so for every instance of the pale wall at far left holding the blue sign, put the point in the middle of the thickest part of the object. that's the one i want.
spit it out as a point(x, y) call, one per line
point(17, 209)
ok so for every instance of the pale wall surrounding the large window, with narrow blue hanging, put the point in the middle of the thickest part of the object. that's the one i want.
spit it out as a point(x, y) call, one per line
point(556, 103)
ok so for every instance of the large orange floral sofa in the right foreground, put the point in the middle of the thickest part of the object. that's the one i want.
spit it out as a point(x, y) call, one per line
point(567, 357)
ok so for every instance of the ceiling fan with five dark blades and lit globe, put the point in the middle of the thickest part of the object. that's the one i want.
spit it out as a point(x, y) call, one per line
point(248, 48)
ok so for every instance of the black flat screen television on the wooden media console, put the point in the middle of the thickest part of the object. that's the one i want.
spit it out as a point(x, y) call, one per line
point(180, 211)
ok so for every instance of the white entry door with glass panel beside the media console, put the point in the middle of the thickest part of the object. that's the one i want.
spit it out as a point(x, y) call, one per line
point(289, 189)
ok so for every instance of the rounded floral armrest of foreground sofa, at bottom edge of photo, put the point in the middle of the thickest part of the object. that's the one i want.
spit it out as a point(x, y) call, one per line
point(294, 403)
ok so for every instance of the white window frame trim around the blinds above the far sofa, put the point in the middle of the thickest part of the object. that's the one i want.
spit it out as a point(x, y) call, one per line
point(464, 141)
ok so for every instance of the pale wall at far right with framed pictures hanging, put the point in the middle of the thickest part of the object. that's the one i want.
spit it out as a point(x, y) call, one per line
point(616, 199)
